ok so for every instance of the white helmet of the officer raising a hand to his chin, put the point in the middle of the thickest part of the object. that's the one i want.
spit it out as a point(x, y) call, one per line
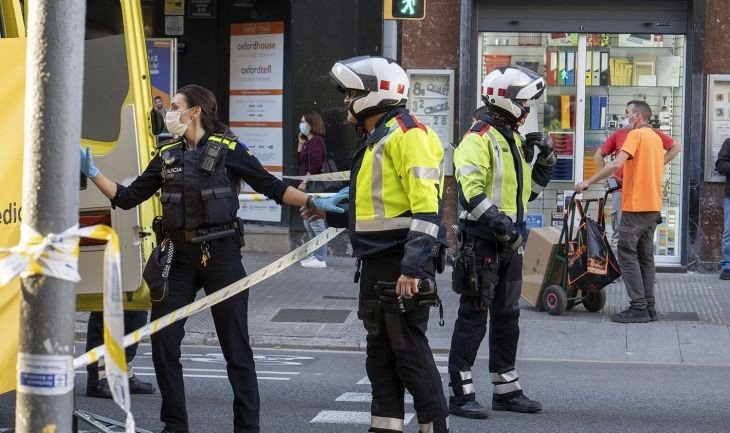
point(506, 88)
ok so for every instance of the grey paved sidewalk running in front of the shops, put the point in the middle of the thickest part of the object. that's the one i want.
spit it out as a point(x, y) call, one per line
point(694, 312)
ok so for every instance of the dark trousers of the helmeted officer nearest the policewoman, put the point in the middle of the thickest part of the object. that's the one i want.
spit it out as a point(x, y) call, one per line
point(398, 355)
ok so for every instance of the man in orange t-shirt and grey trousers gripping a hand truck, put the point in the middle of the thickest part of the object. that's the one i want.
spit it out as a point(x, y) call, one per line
point(642, 158)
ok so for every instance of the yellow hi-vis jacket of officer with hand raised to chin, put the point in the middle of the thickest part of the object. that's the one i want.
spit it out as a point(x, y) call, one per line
point(494, 180)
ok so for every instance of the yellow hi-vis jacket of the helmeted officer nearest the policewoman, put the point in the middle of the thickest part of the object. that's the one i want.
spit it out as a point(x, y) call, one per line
point(396, 186)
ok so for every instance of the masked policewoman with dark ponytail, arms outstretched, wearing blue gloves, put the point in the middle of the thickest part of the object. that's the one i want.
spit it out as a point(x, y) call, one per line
point(199, 174)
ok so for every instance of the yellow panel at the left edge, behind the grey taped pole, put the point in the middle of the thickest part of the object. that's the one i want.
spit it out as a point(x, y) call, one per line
point(11, 172)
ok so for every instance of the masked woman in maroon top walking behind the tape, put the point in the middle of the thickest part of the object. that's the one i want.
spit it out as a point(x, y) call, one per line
point(312, 153)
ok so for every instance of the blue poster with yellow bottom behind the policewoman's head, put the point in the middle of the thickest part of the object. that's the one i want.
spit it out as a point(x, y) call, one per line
point(162, 61)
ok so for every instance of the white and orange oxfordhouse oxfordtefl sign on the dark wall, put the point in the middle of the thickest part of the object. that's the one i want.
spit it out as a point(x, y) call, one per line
point(256, 102)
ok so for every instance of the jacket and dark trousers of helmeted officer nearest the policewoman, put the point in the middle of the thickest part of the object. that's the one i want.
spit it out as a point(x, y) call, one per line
point(394, 216)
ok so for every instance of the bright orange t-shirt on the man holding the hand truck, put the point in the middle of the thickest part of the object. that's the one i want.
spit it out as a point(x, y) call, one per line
point(642, 188)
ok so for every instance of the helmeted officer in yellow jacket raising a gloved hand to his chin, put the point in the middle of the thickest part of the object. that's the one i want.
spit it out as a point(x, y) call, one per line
point(495, 180)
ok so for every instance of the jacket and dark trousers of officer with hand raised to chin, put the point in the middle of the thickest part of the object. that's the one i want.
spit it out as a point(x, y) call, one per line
point(492, 173)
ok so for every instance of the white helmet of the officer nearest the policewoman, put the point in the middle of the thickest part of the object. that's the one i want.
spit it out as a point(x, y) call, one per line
point(380, 84)
